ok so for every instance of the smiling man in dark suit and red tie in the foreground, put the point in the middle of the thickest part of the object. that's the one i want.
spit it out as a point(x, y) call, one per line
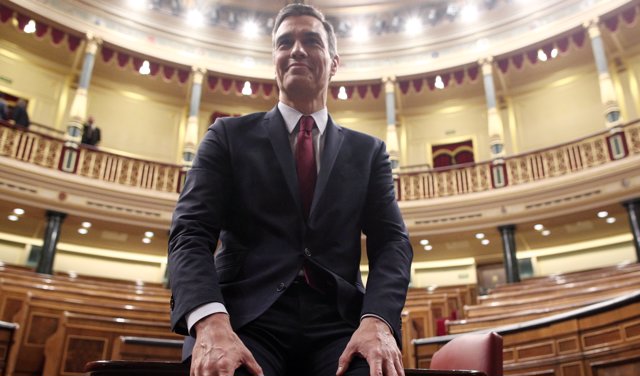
point(287, 194)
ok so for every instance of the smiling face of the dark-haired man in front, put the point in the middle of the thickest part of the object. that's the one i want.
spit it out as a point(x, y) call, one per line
point(301, 57)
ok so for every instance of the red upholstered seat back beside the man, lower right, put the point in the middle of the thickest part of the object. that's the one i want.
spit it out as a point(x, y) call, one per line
point(472, 351)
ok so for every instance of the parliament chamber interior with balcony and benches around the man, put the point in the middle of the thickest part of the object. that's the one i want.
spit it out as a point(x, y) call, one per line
point(512, 127)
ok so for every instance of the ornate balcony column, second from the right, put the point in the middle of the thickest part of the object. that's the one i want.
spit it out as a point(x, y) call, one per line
point(496, 131)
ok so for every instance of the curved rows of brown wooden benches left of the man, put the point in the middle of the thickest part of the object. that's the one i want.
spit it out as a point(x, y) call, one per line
point(63, 323)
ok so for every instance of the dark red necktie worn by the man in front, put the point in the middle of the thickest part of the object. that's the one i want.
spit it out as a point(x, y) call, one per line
point(306, 162)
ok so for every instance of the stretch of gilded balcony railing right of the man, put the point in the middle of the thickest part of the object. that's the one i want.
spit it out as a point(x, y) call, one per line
point(595, 150)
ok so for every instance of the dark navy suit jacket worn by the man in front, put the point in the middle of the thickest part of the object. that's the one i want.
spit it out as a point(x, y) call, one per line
point(243, 192)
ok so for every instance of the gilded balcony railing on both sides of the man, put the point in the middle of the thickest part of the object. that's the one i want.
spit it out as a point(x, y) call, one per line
point(591, 151)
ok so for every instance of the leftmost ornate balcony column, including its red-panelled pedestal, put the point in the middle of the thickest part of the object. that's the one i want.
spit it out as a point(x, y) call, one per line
point(78, 111)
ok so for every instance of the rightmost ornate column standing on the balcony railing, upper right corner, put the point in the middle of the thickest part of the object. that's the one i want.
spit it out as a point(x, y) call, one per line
point(607, 91)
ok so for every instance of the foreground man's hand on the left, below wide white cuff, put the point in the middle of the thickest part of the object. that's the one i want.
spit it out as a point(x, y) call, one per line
point(218, 351)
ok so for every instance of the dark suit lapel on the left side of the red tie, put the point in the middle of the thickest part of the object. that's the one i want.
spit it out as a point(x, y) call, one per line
point(279, 138)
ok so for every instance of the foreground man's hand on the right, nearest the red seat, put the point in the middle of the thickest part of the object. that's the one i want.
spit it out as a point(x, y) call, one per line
point(373, 341)
